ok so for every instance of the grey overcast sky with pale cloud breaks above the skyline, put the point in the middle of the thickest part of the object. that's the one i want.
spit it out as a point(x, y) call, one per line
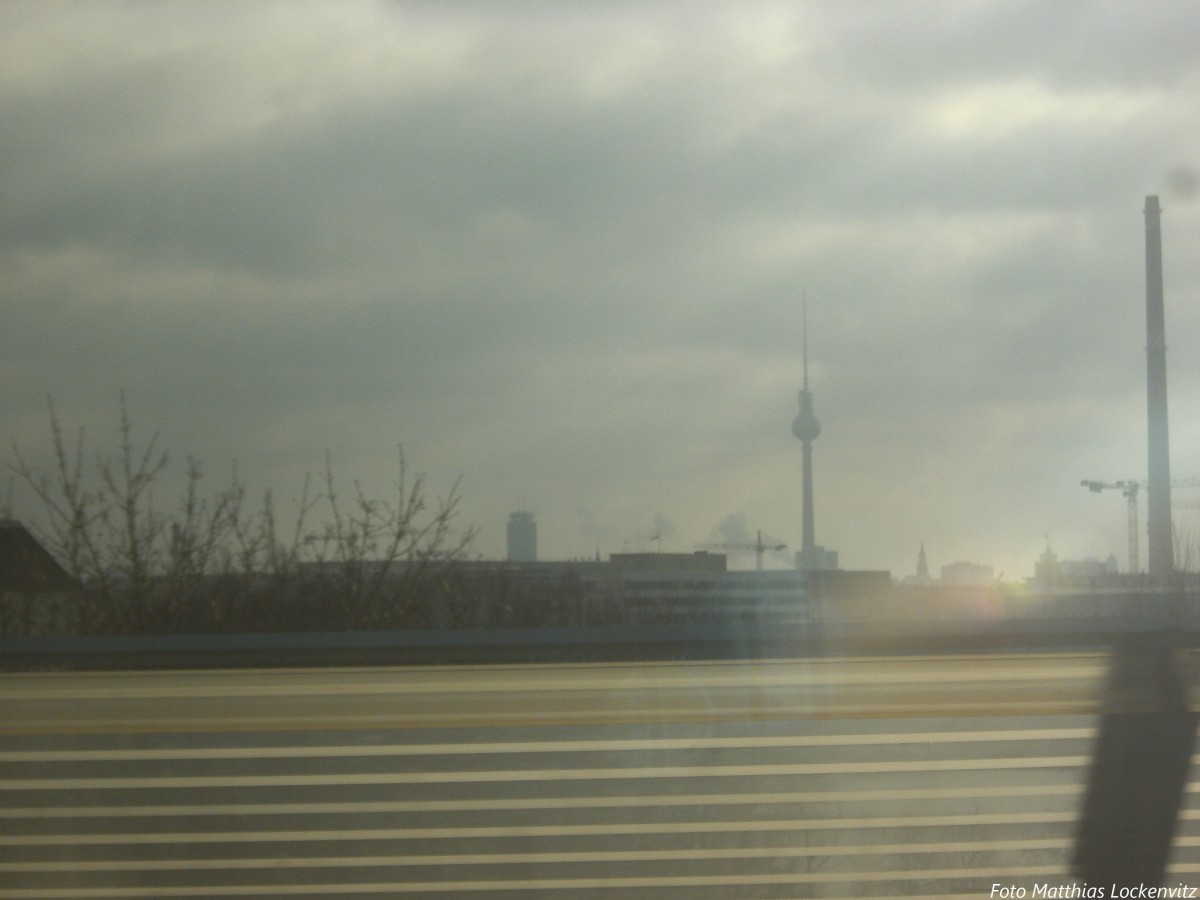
point(559, 250)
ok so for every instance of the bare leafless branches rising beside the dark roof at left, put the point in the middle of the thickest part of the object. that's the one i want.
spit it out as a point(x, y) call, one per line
point(214, 565)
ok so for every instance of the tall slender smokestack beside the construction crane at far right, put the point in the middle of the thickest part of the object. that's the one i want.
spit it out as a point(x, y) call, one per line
point(1162, 554)
